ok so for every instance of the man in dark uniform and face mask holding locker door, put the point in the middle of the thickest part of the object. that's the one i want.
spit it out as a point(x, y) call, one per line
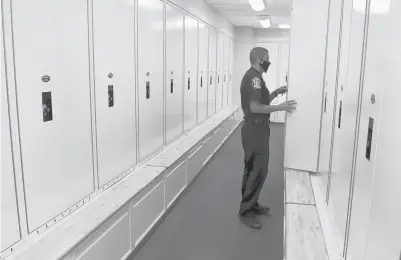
point(255, 133)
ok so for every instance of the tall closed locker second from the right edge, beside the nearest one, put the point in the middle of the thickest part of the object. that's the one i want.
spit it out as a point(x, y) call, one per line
point(345, 120)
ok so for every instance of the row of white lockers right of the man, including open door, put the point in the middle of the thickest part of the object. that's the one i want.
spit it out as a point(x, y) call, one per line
point(359, 132)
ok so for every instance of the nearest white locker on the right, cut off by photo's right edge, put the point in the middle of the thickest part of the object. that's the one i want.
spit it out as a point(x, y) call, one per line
point(375, 162)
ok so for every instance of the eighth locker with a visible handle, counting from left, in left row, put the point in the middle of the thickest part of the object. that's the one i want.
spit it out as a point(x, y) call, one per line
point(220, 72)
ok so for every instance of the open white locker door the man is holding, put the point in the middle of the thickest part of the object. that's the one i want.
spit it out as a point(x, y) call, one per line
point(305, 80)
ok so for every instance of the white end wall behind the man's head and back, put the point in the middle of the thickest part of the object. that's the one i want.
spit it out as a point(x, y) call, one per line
point(245, 37)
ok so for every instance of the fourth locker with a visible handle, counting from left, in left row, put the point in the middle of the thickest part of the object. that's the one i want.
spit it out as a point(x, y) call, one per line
point(174, 72)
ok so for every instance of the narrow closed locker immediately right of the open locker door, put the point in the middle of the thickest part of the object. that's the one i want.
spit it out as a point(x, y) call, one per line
point(329, 89)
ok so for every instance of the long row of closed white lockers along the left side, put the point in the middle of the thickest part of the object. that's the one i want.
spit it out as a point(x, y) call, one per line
point(96, 96)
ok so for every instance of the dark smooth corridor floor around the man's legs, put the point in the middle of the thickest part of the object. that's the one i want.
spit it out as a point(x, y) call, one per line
point(203, 225)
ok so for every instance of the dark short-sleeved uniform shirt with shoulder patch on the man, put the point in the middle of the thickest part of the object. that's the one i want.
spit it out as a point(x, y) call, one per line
point(253, 88)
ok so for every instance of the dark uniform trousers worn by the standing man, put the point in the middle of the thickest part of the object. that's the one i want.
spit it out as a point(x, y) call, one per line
point(255, 142)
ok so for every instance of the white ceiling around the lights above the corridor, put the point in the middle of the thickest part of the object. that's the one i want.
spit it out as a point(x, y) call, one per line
point(240, 13)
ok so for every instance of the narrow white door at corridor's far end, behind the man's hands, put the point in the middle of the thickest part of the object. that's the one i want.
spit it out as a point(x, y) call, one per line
point(282, 78)
